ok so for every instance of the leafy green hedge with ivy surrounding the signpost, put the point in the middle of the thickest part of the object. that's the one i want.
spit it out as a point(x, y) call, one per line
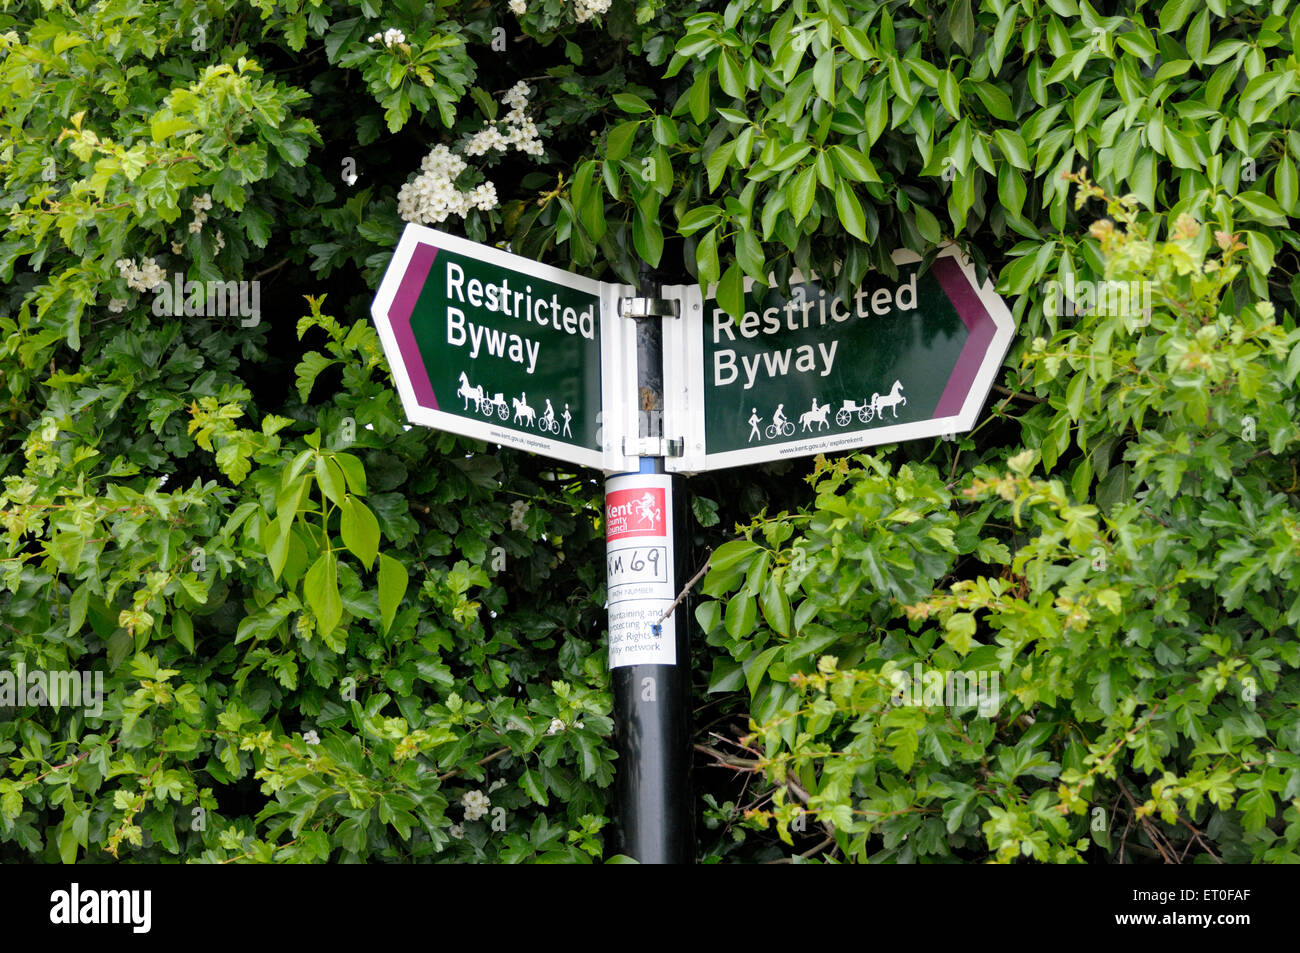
point(327, 638)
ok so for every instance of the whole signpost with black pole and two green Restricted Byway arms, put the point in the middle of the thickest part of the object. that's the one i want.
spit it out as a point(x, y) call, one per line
point(499, 348)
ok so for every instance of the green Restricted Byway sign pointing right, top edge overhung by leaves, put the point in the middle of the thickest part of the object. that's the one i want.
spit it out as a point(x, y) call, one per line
point(811, 374)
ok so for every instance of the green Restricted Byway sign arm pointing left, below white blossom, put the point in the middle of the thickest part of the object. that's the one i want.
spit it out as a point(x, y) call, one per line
point(496, 346)
